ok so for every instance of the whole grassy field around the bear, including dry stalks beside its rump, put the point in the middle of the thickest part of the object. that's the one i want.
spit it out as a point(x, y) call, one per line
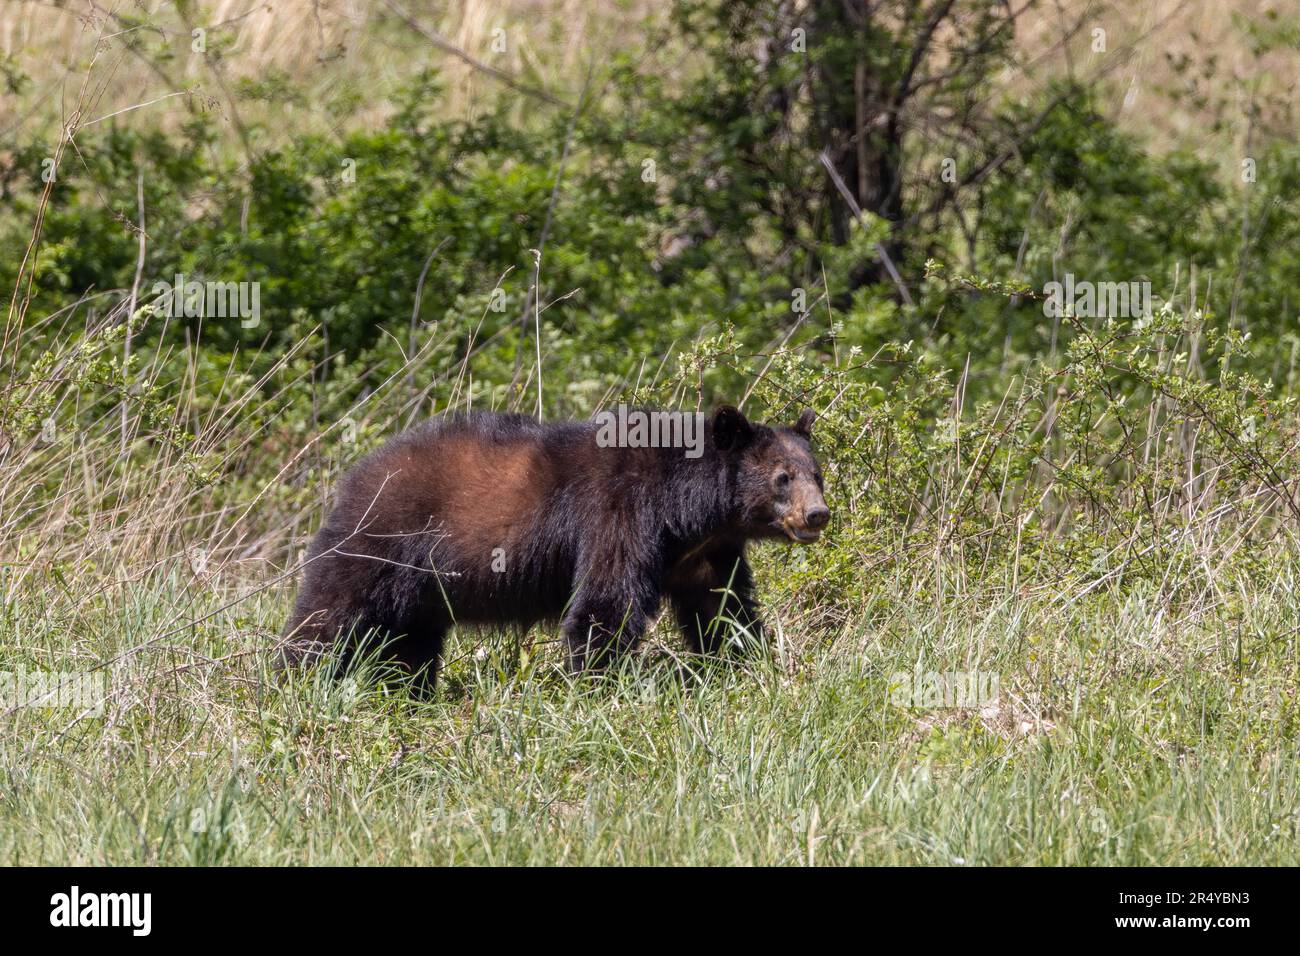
point(1121, 720)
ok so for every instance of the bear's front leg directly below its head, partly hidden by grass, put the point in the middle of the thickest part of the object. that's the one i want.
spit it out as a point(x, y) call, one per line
point(712, 598)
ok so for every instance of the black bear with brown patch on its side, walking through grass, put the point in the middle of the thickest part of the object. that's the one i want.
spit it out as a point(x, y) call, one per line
point(500, 520)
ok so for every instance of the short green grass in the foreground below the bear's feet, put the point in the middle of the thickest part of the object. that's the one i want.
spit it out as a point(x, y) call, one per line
point(1126, 732)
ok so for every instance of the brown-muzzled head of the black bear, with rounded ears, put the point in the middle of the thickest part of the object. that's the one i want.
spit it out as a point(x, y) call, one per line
point(778, 481)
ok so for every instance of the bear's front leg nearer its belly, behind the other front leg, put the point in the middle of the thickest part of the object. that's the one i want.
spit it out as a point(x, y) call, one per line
point(608, 617)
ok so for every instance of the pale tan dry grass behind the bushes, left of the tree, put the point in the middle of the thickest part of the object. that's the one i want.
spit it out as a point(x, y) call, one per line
point(345, 57)
